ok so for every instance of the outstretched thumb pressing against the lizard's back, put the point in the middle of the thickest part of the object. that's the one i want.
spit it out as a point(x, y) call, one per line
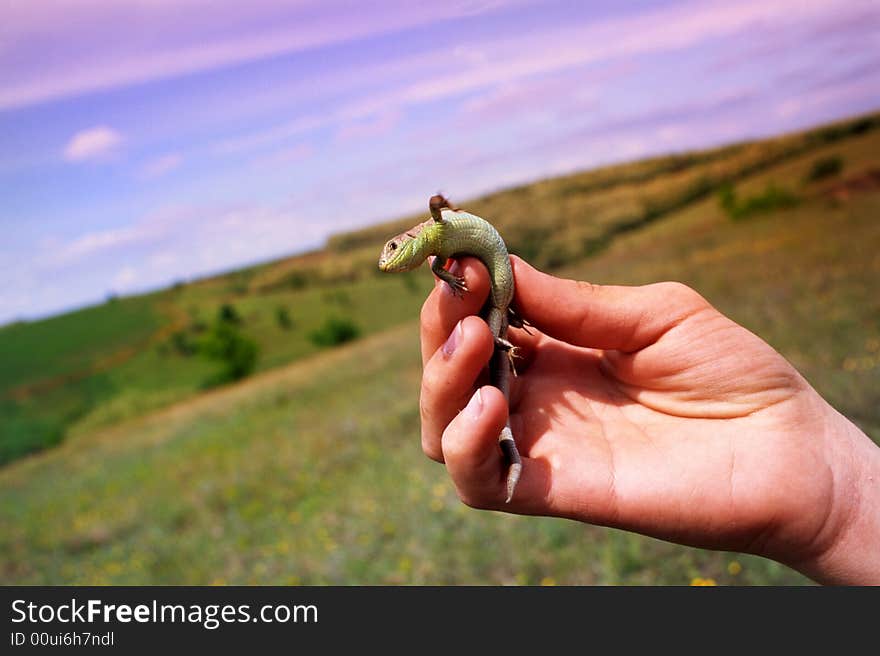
point(601, 316)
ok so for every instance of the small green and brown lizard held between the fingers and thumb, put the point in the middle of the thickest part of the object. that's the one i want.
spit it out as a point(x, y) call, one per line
point(450, 233)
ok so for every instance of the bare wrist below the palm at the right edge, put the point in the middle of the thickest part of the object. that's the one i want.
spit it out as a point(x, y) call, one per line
point(851, 555)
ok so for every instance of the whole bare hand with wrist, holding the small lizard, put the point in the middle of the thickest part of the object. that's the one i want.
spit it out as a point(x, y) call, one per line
point(644, 408)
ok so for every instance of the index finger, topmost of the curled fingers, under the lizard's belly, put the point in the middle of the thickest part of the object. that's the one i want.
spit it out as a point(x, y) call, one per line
point(442, 310)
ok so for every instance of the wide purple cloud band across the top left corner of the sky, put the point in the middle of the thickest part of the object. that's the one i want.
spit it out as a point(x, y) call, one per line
point(121, 44)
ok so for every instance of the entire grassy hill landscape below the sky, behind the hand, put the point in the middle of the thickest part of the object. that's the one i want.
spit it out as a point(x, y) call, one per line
point(310, 472)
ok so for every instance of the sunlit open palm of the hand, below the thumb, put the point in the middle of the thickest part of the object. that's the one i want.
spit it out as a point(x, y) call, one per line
point(672, 440)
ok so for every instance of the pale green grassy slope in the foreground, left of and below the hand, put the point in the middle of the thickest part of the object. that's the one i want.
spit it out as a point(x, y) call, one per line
point(287, 480)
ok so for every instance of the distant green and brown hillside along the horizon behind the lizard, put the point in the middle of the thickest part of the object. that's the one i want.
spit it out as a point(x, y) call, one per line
point(80, 371)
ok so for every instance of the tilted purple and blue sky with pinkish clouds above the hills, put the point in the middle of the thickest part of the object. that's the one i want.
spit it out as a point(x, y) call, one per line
point(146, 142)
